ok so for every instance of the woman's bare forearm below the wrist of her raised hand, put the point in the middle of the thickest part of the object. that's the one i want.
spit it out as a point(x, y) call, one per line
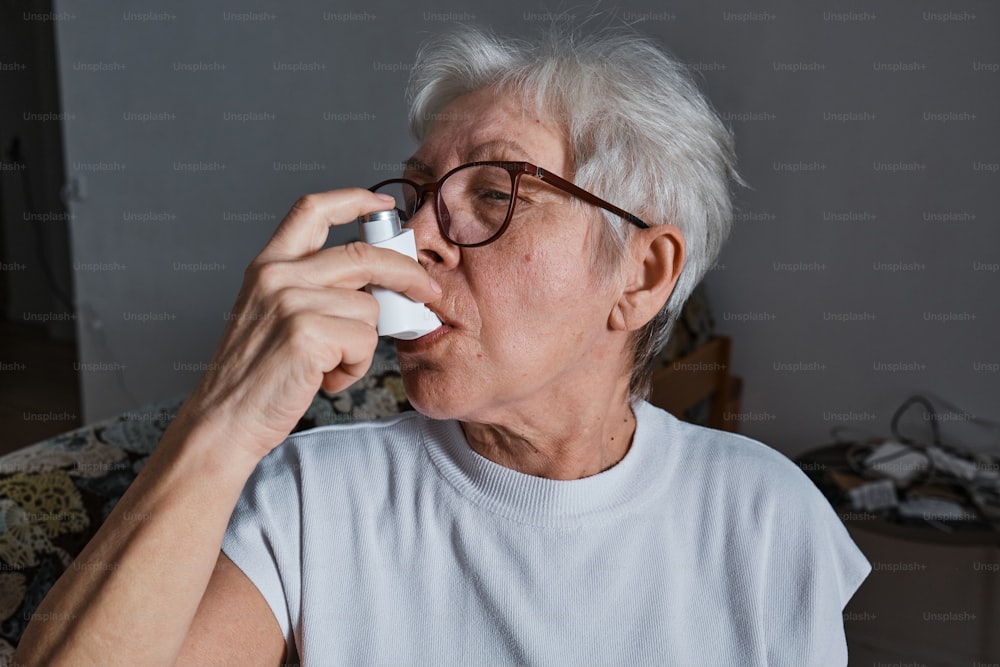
point(131, 594)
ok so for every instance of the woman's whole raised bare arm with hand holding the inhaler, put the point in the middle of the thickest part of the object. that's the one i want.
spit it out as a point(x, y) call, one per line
point(300, 322)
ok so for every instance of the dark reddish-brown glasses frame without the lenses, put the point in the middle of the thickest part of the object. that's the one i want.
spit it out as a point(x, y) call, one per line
point(516, 171)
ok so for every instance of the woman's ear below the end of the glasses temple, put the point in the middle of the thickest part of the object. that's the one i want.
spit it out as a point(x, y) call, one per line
point(654, 262)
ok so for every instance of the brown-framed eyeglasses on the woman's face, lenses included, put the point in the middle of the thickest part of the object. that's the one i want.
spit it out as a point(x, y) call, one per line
point(475, 201)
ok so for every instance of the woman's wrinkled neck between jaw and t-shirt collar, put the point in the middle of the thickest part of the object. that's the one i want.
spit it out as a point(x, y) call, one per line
point(566, 442)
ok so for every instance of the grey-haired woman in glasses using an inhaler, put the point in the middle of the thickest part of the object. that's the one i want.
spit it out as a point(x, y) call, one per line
point(565, 198)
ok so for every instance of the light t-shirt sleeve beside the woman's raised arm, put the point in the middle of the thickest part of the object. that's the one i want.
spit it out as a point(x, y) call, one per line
point(264, 535)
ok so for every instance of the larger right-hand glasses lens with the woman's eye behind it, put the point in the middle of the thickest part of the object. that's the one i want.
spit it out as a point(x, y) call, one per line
point(474, 203)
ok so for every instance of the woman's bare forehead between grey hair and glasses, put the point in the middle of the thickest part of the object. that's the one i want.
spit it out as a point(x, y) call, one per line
point(486, 125)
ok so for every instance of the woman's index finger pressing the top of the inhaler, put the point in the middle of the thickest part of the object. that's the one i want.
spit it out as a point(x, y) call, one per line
point(304, 230)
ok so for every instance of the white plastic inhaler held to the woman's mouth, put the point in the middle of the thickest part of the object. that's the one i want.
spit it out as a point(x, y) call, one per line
point(398, 316)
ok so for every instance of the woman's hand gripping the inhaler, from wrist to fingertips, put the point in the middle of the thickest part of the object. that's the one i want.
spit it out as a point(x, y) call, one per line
point(301, 321)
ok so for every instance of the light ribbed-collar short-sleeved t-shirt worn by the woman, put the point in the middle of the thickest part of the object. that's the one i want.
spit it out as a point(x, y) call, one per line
point(394, 543)
